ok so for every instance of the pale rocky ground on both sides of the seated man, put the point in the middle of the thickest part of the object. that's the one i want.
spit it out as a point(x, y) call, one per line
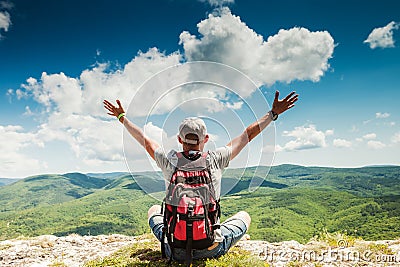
point(75, 250)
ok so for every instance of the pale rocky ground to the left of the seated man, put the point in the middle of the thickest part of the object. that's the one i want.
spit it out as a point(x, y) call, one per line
point(72, 250)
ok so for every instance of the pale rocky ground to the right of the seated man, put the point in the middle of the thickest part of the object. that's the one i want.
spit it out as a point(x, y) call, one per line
point(320, 254)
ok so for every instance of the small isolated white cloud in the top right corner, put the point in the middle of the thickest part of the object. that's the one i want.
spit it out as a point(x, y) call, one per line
point(382, 37)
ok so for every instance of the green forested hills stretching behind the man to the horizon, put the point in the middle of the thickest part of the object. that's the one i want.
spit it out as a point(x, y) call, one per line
point(291, 202)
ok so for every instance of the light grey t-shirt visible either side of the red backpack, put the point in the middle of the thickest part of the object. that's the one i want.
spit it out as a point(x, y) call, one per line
point(217, 161)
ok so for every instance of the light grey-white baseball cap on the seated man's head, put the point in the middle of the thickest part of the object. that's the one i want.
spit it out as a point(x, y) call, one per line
point(192, 125)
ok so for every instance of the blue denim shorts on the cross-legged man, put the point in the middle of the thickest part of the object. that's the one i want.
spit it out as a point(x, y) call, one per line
point(233, 229)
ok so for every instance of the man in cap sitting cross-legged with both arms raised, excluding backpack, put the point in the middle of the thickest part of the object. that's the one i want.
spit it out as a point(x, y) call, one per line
point(193, 136)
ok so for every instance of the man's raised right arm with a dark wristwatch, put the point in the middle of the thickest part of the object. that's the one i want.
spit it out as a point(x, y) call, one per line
point(278, 107)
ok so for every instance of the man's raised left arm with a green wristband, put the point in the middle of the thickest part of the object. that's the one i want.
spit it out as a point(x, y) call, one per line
point(149, 144)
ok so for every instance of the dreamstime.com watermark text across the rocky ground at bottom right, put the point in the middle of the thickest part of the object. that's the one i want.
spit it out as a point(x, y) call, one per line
point(342, 253)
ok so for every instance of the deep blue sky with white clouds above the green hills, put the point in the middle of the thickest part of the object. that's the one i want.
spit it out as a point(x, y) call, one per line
point(59, 59)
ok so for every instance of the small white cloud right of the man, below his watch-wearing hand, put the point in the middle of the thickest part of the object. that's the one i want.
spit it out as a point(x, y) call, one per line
point(305, 138)
